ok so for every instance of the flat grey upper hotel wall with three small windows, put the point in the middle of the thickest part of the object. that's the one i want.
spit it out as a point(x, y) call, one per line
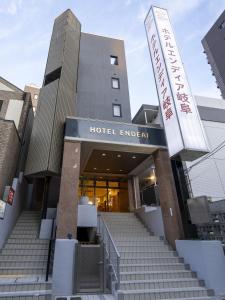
point(95, 94)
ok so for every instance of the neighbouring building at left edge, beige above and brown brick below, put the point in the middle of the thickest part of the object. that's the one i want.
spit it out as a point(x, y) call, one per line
point(16, 119)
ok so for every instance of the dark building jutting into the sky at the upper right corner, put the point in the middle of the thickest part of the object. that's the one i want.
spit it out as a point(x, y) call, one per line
point(214, 46)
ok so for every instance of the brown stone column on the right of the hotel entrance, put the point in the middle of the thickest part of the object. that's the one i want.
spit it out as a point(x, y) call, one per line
point(168, 198)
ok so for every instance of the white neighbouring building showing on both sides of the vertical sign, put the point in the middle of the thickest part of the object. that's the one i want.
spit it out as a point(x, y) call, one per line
point(205, 175)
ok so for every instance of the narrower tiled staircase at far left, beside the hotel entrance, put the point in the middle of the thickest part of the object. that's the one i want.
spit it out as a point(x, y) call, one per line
point(23, 261)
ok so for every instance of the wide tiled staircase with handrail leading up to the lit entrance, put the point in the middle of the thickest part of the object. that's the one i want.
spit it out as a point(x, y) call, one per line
point(149, 269)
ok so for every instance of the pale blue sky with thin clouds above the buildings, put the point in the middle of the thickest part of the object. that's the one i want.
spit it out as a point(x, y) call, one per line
point(26, 26)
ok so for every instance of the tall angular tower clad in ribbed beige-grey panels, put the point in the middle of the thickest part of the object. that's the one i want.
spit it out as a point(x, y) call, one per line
point(57, 99)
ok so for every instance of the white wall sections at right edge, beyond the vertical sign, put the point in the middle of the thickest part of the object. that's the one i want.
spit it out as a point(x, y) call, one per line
point(208, 177)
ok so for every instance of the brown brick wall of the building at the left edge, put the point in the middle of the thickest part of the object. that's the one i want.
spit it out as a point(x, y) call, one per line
point(9, 152)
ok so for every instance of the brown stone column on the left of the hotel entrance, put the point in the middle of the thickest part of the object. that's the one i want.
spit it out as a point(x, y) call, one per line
point(68, 198)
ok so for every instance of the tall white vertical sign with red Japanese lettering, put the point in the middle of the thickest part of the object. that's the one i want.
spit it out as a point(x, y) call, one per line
point(184, 131)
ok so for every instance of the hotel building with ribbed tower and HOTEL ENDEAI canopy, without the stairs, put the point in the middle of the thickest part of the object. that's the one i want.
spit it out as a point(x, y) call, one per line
point(83, 120)
